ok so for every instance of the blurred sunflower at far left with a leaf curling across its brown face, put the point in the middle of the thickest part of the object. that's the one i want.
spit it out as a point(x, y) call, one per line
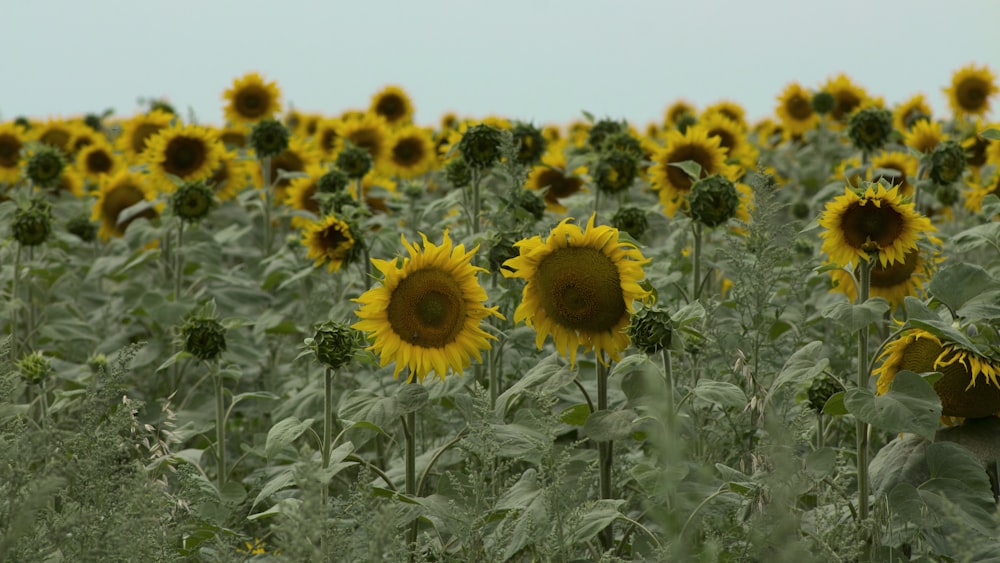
point(117, 193)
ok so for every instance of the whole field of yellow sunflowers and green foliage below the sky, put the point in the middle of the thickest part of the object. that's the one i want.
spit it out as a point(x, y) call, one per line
point(345, 336)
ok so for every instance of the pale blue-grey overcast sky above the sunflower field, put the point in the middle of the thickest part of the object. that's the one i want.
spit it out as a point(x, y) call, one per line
point(539, 60)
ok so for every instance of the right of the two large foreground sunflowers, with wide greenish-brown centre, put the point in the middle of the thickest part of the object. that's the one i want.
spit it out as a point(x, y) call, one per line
point(580, 288)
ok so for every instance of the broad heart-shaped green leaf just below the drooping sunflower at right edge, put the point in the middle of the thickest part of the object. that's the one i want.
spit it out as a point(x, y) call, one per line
point(910, 405)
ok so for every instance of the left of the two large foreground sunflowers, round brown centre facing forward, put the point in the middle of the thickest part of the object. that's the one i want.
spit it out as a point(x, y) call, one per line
point(427, 312)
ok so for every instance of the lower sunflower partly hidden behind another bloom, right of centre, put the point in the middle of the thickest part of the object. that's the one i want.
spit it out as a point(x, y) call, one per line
point(894, 282)
